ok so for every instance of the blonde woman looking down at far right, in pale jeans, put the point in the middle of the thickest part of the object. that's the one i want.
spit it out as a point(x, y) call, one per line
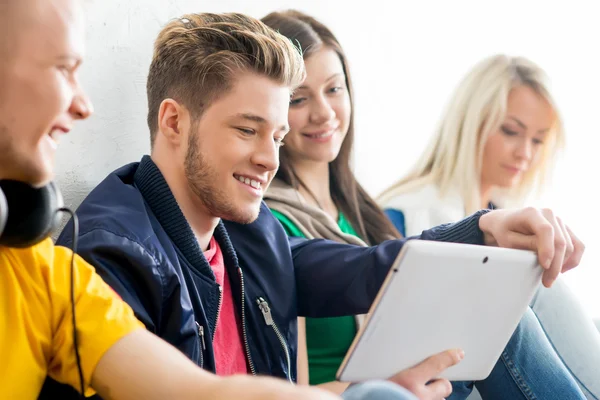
point(494, 147)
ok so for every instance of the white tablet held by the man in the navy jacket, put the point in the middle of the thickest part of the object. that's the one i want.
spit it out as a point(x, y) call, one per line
point(439, 296)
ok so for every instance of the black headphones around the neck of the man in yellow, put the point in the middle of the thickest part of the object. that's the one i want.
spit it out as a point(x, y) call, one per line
point(28, 215)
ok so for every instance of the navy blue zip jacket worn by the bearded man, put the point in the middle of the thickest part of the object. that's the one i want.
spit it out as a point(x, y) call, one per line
point(133, 231)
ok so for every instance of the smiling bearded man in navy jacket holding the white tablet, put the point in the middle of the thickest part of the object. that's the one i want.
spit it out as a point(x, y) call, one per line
point(228, 294)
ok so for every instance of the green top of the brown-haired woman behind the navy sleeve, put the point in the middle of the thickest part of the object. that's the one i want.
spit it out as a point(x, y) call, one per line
point(327, 339)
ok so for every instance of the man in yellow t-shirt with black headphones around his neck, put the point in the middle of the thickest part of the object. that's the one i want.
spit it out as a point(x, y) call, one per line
point(100, 346)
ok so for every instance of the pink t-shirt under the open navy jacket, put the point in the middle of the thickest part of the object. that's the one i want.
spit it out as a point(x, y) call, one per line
point(230, 357)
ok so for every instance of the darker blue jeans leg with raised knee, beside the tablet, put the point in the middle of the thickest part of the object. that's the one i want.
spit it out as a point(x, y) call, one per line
point(528, 369)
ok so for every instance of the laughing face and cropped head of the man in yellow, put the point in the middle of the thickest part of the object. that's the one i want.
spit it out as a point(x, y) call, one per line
point(41, 97)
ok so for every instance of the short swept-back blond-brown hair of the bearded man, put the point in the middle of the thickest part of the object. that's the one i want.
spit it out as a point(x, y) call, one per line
point(197, 56)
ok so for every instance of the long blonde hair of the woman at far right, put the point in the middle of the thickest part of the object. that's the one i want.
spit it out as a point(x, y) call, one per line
point(453, 159)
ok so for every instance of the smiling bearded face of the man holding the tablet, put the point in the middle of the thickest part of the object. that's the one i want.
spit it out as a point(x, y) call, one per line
point(233, 150)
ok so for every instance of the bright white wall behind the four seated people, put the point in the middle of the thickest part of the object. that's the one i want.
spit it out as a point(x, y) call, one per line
point(405, 57)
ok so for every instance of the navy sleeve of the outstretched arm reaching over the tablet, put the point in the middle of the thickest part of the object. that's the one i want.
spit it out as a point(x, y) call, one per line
point(335, 279)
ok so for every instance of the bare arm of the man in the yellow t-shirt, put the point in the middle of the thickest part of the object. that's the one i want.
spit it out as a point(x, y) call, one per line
point(142, 366)
